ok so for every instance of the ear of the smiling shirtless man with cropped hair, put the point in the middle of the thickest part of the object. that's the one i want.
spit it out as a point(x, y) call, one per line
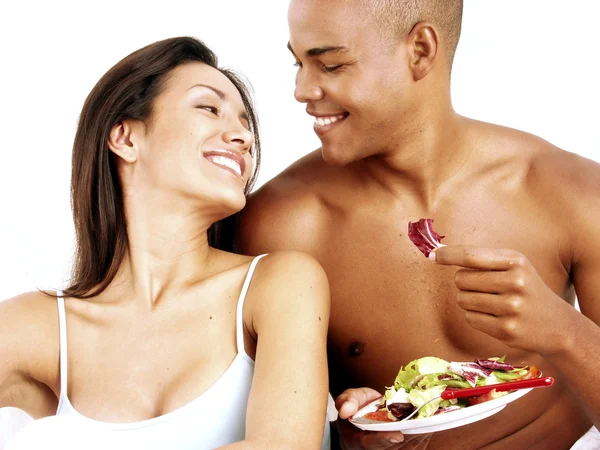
point(424, 49)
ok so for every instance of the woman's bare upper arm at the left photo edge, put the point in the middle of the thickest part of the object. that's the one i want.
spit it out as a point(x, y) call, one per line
point(28, 346)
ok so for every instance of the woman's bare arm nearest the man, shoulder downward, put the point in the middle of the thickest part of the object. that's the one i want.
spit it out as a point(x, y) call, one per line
point(290, 315)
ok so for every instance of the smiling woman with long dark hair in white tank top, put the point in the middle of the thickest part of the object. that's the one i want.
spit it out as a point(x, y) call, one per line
point(155, 339)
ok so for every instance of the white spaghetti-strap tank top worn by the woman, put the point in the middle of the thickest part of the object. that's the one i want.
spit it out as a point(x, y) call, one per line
point(215, 418)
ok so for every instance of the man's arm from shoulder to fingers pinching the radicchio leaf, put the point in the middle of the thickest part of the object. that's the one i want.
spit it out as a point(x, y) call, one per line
point(503, 295)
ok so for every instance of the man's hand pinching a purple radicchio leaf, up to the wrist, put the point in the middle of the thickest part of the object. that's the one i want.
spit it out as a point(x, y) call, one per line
point(504, 297)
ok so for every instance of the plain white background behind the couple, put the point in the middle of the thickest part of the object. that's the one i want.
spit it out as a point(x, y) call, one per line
point(529, 64)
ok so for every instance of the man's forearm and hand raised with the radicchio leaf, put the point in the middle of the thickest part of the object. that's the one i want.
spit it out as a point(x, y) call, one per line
point(504, 297)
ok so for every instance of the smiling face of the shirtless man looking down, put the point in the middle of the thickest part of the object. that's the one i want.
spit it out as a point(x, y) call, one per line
point(355, 83)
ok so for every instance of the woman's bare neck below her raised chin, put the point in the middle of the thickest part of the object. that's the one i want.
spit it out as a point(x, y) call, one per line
point(167, 248)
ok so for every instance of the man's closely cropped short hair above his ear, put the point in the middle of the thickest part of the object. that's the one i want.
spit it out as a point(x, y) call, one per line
point(398, 17)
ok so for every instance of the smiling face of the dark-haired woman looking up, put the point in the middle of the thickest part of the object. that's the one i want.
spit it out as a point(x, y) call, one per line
point(196, 144)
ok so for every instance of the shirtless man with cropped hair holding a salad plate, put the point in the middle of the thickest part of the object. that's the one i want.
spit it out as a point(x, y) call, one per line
point(522, 220)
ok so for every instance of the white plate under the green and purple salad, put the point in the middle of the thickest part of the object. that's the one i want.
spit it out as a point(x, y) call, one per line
point(439, 422)
